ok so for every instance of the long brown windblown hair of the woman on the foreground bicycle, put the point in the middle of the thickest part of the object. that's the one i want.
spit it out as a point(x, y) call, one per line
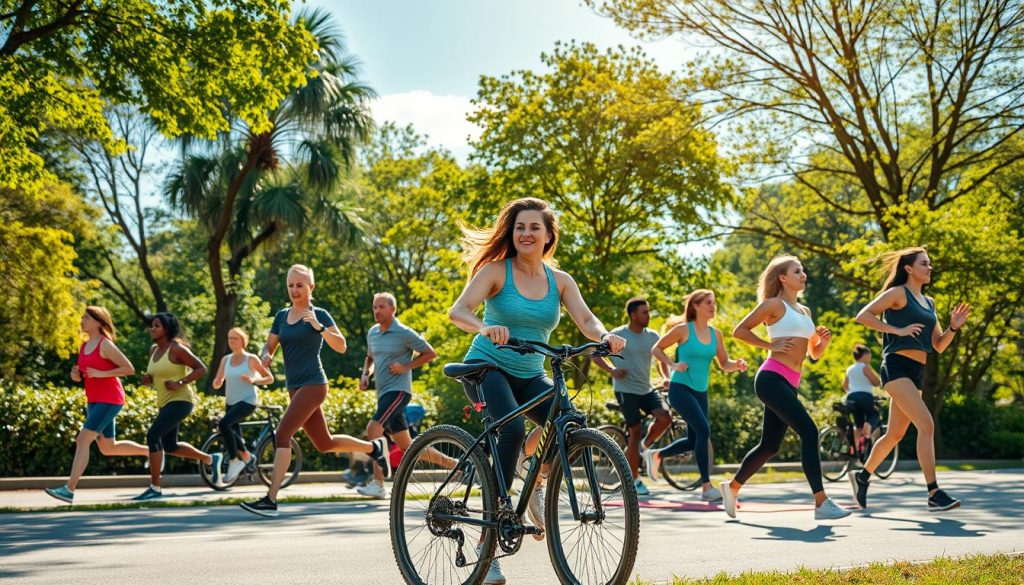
point(484, 246)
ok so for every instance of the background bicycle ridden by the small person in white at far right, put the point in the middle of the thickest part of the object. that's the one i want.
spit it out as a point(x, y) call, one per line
point(838, 448)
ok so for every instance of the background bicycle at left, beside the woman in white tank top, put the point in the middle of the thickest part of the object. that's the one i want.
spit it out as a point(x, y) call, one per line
point(262, 463)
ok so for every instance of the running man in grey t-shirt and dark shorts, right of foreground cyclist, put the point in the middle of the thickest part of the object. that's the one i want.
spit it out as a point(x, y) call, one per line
point(631, 383)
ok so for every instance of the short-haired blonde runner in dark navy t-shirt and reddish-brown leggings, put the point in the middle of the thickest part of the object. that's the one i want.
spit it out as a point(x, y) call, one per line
point(302, 331)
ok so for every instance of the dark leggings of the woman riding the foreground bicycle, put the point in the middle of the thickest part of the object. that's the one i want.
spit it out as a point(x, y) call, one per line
point(504, 394)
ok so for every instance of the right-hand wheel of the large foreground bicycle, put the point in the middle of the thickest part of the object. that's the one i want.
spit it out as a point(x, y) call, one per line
point(600, 546)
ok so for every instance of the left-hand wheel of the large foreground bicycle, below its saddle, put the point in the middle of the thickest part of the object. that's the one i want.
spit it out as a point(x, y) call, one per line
point(426, 549)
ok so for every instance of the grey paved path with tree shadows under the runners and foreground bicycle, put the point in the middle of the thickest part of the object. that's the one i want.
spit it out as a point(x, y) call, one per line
point(349, 542)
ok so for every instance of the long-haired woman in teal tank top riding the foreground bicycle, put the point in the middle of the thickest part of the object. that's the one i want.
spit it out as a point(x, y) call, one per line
point(511, 274)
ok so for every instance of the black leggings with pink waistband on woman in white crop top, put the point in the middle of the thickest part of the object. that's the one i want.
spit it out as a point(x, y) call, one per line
point(783, 409)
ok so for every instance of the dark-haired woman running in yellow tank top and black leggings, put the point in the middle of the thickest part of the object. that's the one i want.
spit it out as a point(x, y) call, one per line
point(173, 371)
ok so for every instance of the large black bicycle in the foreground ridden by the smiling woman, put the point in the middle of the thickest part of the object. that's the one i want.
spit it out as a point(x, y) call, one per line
point(590, 492)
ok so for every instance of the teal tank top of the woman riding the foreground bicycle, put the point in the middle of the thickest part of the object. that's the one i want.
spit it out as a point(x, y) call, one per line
point(527, 319)
